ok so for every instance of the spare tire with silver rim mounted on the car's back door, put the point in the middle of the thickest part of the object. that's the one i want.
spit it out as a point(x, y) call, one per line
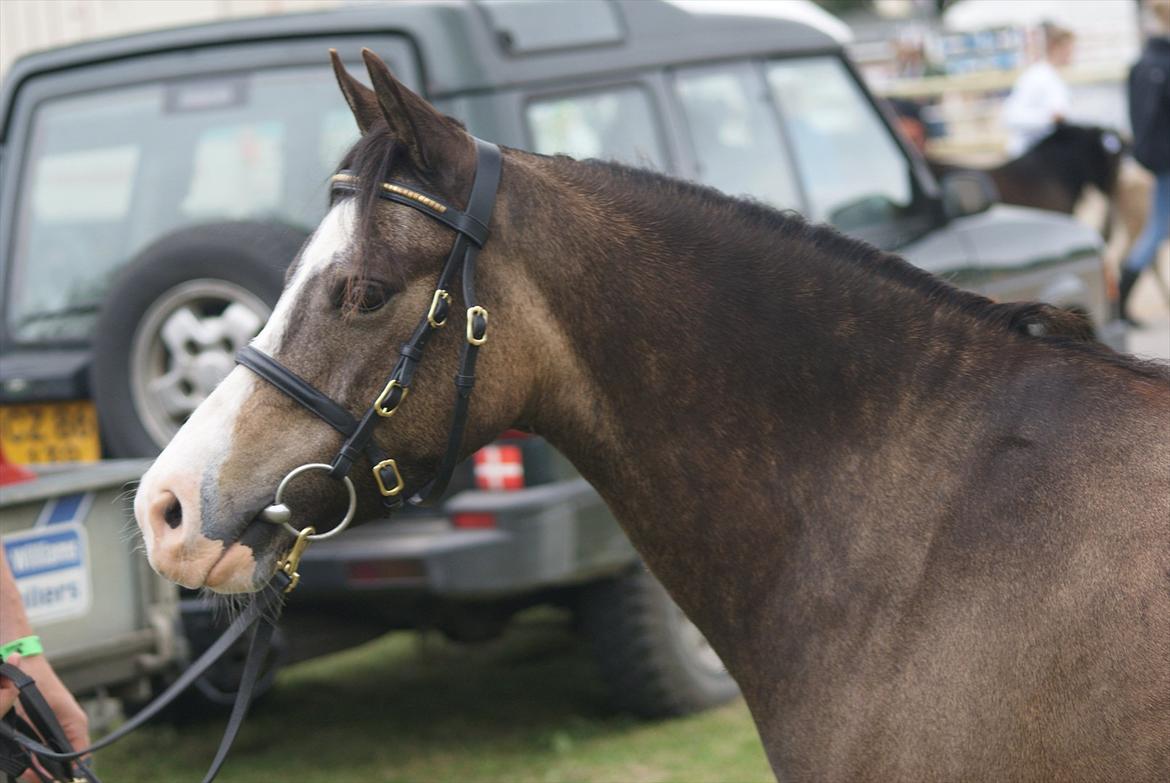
point(173, 324)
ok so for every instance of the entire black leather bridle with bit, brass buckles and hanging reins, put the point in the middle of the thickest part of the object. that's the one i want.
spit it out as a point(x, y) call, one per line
point(56, 755)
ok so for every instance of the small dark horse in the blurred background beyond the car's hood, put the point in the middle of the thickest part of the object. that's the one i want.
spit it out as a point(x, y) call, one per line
point(1056, 173)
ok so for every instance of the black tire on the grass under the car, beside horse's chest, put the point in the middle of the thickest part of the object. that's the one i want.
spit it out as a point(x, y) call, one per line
point(655, 661)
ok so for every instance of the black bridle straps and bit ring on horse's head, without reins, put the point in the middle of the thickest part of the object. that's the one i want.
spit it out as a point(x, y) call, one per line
point(472, 233)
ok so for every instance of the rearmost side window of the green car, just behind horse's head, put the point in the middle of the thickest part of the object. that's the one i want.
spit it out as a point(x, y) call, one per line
point(611, 125)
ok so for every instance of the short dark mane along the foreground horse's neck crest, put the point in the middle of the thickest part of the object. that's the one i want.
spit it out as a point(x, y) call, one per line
point(1066, 331)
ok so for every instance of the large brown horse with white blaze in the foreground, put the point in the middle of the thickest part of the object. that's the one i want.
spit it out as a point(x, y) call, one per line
point(927, 535)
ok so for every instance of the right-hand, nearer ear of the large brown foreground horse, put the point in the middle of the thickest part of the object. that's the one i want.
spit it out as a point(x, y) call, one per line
point(430, 139)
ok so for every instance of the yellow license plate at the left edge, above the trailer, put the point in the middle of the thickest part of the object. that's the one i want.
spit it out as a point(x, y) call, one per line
point(50, 432)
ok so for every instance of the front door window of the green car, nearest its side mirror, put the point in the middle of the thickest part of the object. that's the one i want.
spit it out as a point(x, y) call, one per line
point(854, 173)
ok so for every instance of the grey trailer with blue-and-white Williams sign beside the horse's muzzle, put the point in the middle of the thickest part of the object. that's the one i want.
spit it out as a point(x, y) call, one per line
point(109, 624)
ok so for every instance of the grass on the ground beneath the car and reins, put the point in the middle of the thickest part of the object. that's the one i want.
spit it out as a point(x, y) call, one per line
point(528, 708)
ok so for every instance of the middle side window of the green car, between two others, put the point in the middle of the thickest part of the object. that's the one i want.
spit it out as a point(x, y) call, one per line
point(735, 134)
